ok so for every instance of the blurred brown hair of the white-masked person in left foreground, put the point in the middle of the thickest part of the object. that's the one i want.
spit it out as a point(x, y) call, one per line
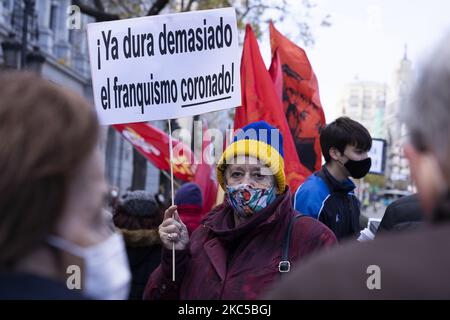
point(46, 133)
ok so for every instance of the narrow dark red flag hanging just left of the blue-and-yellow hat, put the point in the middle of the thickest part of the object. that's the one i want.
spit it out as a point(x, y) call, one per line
point(205, 176)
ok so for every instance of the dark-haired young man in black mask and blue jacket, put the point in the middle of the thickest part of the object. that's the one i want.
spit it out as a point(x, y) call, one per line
point(328, 194)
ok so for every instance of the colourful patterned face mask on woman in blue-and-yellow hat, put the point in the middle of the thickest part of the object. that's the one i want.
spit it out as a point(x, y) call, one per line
point(247, 200)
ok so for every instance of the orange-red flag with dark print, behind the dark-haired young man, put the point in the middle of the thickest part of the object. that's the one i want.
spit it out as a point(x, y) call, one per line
point(301, 100)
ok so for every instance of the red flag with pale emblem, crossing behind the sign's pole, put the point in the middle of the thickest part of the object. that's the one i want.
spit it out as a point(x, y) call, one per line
point(153, 144)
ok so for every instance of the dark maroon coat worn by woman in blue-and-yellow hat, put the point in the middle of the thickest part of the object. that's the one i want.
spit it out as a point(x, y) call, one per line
point(224, 262)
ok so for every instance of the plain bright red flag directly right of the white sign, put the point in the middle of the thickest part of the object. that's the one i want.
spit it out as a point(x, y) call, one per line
point(260, 102)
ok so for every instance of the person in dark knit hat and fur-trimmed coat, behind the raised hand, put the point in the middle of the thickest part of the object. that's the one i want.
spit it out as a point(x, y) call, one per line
point(138, 216)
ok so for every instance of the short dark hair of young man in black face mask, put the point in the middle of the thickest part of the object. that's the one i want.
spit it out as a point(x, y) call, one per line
point(343, 132)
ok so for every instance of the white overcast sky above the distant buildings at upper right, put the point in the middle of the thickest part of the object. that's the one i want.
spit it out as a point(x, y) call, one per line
point(367, 40)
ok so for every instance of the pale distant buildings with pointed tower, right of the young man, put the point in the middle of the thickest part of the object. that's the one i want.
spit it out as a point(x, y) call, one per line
point(379, 107)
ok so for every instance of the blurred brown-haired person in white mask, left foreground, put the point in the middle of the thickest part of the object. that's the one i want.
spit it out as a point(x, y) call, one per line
point(55, 241)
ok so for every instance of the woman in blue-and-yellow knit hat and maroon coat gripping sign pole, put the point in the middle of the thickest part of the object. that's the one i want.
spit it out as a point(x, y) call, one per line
point(245, 244)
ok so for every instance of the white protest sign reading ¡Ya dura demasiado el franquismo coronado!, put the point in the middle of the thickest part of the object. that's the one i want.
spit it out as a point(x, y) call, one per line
point(166, 66)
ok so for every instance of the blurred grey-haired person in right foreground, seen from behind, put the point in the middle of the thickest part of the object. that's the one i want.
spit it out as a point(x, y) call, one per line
point(409, 265)
